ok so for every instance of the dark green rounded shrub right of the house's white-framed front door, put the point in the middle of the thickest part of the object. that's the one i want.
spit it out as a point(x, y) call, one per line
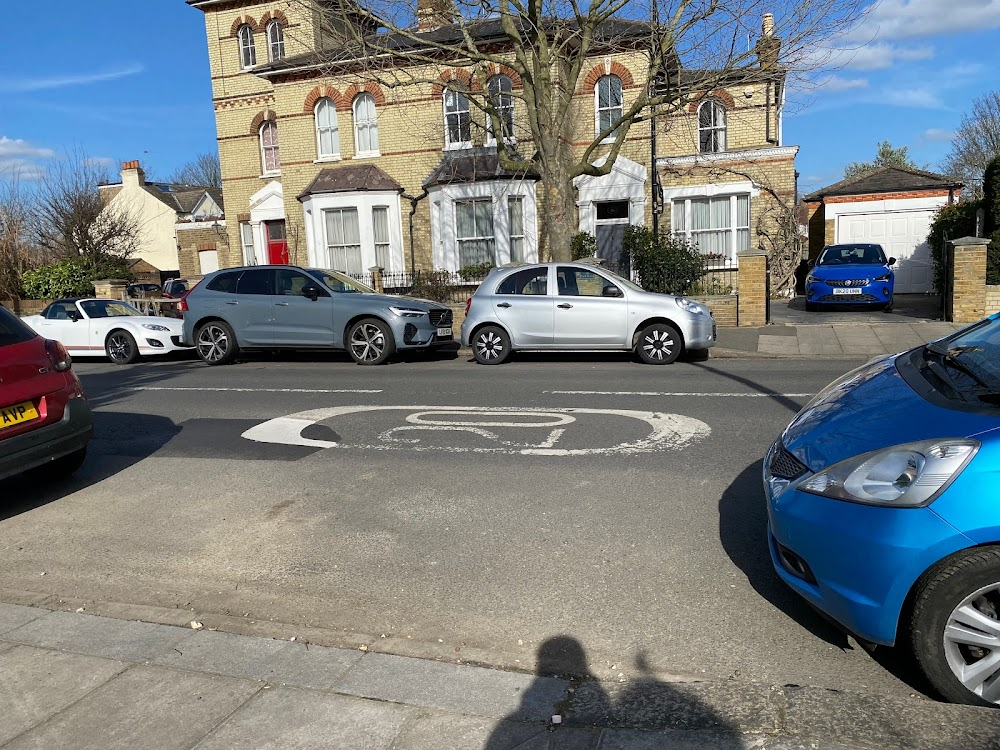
point(665, 264)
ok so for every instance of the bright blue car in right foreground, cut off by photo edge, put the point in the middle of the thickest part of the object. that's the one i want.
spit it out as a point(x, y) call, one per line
point(884, 507)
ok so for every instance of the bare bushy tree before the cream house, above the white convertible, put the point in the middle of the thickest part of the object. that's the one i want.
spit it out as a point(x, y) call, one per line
point(71, 221)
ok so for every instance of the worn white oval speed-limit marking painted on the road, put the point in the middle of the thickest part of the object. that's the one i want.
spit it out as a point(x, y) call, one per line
point(667, 431)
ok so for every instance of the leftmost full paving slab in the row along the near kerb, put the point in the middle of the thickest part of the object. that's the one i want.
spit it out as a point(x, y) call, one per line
point(100, 636)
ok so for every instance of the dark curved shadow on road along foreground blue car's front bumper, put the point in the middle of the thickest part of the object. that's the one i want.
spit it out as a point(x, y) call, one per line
point(743, 533)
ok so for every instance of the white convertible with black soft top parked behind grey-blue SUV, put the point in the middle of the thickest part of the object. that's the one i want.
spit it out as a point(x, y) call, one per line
point(89, 326)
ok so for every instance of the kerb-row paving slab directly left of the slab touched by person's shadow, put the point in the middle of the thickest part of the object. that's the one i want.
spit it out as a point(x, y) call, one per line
point(280, 662)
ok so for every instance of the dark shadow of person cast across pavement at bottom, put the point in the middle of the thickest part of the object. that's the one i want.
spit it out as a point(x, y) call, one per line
point(566, 688)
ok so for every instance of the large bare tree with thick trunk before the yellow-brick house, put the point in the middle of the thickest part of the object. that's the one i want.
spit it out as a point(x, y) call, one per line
point(551, 45)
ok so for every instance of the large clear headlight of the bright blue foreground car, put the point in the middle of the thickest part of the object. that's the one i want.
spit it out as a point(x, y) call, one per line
point(908, 475)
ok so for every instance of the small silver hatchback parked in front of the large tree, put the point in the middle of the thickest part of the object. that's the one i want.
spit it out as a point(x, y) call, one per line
point(580, 306)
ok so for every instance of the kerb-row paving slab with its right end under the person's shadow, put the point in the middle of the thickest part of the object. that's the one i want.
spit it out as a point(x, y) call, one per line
point(454, 687)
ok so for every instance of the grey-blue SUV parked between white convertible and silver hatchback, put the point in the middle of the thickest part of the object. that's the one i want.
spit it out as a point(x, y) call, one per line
point(276, 307)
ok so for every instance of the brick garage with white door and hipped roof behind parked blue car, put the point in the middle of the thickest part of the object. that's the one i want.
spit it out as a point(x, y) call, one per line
point(889, 206)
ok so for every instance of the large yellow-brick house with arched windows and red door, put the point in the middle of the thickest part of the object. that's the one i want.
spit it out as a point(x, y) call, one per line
point(331, 169)
